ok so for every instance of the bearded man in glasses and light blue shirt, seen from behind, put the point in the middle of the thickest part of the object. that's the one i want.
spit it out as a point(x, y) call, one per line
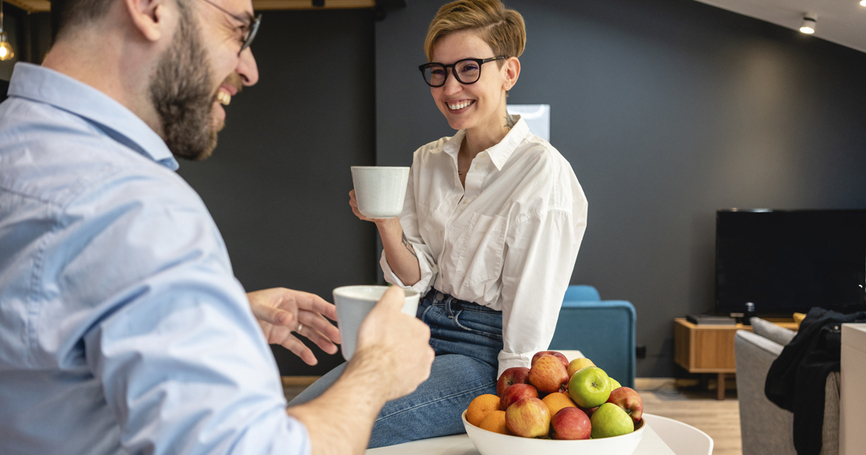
point(122, 328)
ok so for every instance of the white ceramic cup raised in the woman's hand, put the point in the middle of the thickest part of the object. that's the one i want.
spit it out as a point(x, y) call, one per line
point(379, 190)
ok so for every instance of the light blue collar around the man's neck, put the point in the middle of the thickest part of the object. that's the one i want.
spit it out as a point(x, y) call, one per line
point(44, 85)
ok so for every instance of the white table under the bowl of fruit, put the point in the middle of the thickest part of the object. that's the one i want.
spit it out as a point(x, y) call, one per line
point(651, 444)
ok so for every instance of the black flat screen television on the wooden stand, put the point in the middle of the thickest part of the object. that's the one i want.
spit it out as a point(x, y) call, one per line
point(787, 261)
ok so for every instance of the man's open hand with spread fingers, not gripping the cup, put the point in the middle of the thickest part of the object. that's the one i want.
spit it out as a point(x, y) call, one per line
point(281, 311)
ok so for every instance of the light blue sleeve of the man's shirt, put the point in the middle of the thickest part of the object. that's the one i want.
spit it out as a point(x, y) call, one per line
point(182, 362)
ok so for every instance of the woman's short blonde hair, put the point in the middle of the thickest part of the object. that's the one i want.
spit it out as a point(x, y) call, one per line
point(502, 29)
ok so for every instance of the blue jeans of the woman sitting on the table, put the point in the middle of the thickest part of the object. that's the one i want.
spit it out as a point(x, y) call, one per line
point(467, 339)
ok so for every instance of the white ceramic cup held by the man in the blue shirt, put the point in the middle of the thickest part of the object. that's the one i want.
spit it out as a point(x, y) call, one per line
point(354, 303)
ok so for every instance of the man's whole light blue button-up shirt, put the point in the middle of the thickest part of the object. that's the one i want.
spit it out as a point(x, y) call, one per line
point(122, 327)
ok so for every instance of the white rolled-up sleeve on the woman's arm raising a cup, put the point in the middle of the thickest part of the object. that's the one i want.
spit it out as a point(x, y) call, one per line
point(409, 224)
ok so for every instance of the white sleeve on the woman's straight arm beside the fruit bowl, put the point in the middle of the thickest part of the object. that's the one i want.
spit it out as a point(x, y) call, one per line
point(540, 254)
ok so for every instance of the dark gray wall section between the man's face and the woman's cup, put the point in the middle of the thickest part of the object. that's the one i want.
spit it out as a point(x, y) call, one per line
point(278, 183)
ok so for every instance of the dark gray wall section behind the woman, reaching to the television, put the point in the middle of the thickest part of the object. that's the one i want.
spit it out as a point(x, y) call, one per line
point(667, 110)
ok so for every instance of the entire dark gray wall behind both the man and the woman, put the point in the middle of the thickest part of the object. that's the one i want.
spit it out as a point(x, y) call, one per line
point(667, 110)
